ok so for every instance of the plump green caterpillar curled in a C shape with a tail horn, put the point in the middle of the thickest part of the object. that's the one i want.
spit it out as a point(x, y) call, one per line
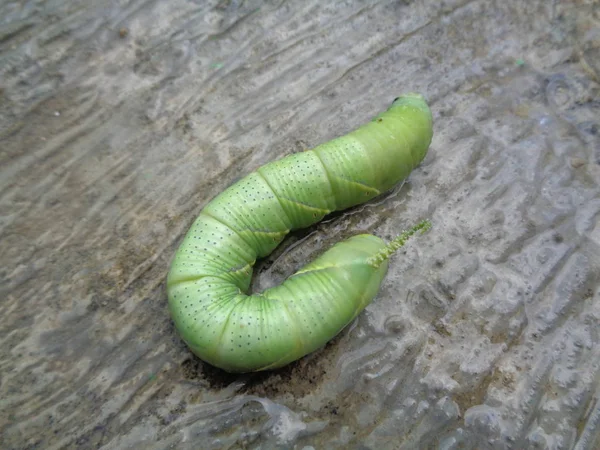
point(212, 268)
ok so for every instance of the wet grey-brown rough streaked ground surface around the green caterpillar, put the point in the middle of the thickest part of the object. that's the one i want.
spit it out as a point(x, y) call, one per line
point(120, 119)
